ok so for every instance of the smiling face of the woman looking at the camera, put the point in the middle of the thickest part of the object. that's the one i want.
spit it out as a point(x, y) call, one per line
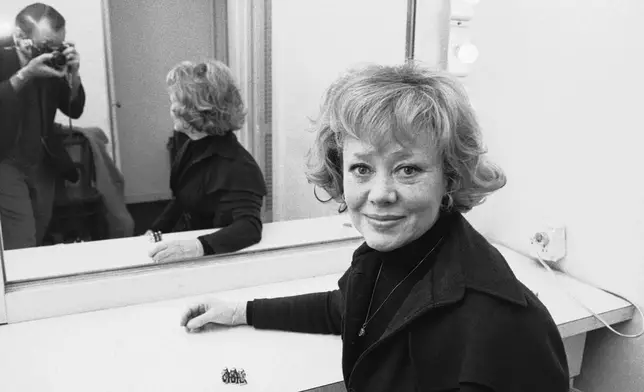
point(394, 194)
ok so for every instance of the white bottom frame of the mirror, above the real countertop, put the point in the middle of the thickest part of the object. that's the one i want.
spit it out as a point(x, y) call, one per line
point(58, 297)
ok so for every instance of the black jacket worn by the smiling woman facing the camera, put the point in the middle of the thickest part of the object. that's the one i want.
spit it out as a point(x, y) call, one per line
point(467, 325)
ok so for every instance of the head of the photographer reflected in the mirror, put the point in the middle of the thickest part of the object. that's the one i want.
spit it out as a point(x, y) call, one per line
point(39, 25)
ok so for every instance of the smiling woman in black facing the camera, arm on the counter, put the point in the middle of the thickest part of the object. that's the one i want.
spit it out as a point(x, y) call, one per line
point(428, 303)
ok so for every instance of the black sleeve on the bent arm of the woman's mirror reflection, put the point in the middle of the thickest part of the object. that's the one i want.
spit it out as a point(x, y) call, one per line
point(245, 229)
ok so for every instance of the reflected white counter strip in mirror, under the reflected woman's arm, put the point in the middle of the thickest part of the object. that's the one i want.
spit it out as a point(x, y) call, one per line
point(70, 259)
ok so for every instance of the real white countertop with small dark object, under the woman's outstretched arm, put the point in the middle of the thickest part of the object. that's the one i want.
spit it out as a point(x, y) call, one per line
point(142, 347)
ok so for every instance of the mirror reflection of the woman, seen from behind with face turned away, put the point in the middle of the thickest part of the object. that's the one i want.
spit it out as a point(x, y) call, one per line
point(215, 182)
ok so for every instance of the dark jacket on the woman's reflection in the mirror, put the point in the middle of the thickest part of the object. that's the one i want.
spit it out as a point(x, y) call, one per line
point(215, 183)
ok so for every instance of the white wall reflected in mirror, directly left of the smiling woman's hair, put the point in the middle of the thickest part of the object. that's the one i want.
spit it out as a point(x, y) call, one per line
point(313, 42)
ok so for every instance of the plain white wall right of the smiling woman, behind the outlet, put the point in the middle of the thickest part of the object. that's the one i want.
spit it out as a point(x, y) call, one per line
point(558, 89)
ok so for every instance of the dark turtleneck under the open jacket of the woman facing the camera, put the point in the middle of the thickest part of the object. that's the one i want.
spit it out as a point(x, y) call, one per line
point(396, 265)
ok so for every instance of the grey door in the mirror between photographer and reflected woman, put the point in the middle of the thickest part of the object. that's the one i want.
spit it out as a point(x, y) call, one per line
point(147, 38)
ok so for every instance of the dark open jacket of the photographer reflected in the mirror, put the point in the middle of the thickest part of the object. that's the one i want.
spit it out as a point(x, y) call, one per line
point(56, 96)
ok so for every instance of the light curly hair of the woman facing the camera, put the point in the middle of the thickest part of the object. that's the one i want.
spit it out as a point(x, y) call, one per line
point(384, 104)
